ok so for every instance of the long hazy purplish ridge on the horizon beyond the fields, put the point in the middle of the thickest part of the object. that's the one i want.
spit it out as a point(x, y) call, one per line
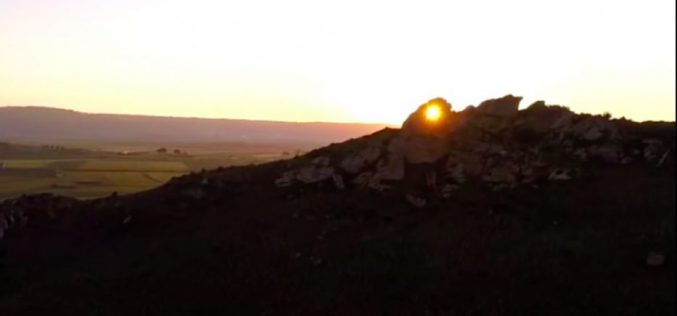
point(38, 123)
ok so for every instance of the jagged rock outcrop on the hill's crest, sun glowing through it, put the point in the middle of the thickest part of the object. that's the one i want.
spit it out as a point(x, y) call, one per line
point(493, 144)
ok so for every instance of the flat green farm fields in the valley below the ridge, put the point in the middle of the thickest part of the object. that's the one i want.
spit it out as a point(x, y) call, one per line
point(87, 173)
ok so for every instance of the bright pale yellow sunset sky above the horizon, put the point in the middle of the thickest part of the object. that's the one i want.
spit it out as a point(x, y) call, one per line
point(340, 61)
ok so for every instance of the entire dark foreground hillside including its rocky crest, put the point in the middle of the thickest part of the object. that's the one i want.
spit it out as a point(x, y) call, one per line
point(486, 211)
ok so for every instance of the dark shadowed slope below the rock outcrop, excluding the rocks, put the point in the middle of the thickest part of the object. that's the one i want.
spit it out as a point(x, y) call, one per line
point(248, 248)
